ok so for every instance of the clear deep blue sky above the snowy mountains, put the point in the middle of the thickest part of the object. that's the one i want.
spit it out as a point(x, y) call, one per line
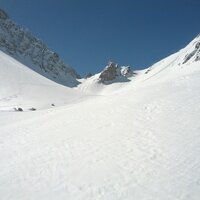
point(87, 33)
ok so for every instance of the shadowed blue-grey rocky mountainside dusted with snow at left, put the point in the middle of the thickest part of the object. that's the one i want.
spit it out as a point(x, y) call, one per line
point(32, 52)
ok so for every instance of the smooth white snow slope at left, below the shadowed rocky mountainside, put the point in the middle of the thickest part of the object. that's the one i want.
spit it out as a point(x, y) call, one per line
point(22, 87)
